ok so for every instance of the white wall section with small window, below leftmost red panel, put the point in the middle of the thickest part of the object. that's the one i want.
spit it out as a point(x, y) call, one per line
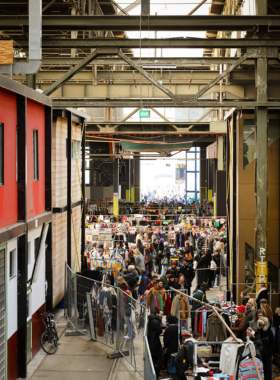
point(11, 291)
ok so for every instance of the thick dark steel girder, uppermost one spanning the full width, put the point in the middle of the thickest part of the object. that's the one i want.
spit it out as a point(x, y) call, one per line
point(147, 23)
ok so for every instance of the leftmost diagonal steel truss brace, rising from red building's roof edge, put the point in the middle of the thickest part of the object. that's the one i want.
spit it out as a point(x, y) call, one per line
point(77, 69)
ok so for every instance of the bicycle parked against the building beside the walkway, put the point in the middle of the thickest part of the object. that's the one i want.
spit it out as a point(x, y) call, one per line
point(49, 338)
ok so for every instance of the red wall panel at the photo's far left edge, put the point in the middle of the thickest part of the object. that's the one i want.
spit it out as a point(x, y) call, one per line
point(8, 192)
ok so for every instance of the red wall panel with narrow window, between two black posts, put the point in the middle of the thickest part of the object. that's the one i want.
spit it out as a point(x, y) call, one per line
point(35, 189)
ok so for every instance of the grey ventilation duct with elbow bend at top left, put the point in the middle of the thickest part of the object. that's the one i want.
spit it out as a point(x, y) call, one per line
point(33, 64)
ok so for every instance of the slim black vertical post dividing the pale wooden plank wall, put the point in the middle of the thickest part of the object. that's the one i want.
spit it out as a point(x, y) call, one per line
point(69, 186)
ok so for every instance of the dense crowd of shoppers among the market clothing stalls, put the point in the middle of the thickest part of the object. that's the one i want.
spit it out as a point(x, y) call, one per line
point(152, 268)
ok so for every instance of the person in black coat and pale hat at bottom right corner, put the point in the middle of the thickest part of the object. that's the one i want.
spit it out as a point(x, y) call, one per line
point(267, 338)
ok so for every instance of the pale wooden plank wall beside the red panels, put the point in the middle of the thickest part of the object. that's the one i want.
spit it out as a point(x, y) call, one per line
point(59, 193)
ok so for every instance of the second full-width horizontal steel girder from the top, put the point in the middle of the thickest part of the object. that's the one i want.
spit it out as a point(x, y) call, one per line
point(163, 43)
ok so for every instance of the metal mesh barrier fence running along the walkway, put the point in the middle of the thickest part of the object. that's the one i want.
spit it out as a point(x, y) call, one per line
point(108, 315)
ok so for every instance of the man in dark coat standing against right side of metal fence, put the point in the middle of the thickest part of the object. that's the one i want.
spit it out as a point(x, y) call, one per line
point(154, 331)
